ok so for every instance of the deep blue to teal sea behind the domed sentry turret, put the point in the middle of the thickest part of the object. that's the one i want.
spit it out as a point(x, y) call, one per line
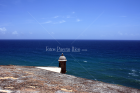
point(111, 61)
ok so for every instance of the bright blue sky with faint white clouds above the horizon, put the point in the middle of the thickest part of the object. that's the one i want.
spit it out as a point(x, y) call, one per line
point(70, 19)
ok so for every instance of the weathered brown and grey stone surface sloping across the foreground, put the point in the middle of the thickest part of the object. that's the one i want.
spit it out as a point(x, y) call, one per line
point(24, 79)
